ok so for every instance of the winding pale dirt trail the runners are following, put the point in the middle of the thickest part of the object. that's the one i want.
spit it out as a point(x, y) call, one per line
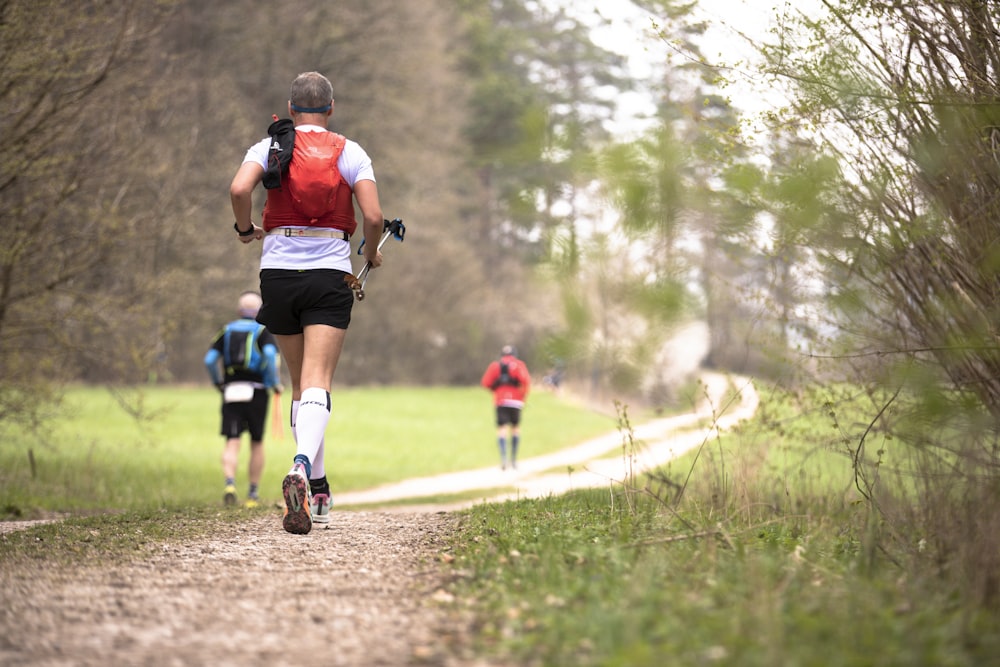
point(363, 593)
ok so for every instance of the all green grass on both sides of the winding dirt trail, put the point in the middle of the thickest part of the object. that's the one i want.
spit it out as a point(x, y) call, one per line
point(757, 550)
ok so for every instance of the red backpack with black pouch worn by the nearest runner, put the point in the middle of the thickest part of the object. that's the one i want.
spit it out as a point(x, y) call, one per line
point(307, 164)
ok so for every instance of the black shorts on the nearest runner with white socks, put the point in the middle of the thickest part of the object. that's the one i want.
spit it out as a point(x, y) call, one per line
point(296, 299)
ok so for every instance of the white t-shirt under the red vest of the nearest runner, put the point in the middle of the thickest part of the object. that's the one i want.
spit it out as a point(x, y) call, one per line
point(308, 252)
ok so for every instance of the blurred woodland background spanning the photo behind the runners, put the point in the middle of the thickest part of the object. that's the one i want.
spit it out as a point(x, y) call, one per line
point(856, 221)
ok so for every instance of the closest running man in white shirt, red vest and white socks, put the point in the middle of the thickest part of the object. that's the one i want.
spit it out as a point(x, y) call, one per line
point(305, 260)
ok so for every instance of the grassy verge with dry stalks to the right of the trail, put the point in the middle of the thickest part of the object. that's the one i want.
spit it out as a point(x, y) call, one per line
point(767, 558)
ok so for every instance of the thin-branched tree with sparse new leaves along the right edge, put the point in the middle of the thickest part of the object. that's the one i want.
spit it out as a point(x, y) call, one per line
point(906, 96)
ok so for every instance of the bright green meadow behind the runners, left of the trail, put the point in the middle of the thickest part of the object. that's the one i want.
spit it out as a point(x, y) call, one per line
point(160, 446)
